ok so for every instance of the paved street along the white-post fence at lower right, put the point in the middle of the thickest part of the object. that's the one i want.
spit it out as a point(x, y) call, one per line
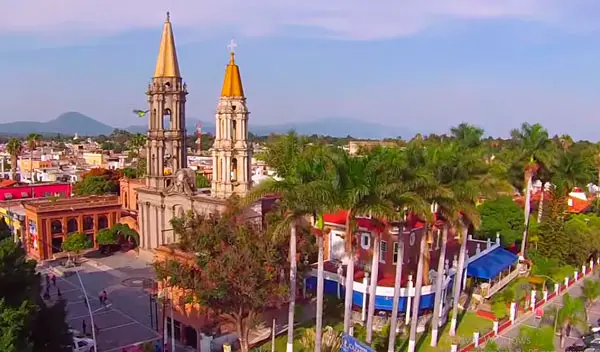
point(505, 339)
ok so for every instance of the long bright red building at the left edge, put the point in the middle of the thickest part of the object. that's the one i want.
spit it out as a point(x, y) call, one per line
point(12, 190)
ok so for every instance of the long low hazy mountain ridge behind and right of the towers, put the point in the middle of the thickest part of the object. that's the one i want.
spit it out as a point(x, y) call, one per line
point(334, 127)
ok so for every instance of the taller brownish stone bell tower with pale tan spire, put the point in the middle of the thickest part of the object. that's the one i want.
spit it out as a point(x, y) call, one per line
point(166, 127)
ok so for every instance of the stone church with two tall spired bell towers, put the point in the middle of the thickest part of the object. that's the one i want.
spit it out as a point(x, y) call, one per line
point(167, 196)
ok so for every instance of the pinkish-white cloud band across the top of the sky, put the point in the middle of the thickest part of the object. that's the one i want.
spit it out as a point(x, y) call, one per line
point(344, 19)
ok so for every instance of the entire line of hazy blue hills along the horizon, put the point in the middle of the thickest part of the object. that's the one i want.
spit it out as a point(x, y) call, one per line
point(70, 123)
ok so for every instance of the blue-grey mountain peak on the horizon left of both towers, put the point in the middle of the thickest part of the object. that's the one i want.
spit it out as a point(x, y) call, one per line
point(68, 123)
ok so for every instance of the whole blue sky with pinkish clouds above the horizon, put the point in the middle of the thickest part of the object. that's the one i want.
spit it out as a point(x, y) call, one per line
point(424, 65)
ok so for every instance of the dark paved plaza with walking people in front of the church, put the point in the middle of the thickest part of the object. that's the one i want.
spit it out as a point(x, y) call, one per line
point(126, 318)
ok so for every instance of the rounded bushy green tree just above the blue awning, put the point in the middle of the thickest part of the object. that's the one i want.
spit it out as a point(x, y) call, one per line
point(502, 216)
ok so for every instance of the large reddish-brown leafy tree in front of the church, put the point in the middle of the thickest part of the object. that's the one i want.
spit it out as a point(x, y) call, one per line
point(236, 279)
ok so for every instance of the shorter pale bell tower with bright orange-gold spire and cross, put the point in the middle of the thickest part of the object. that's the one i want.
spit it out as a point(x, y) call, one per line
point(231, 151)
